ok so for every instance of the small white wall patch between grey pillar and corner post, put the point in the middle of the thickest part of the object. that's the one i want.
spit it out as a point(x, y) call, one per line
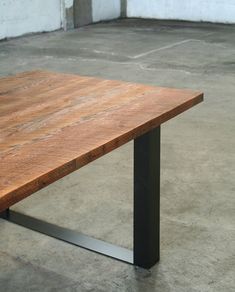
point(105, 9)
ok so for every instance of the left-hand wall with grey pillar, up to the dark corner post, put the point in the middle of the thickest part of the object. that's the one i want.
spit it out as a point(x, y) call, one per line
point(18, 17)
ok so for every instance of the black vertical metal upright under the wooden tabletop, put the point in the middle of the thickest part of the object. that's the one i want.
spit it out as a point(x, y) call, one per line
point(147, 199)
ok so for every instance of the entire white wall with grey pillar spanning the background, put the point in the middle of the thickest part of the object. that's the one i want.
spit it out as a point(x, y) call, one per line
point(18, 17)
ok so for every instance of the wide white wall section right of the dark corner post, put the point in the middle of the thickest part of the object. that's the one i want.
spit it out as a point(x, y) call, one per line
point(195, 10)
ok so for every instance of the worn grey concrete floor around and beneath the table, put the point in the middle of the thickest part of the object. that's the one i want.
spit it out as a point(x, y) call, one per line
point(197, 165)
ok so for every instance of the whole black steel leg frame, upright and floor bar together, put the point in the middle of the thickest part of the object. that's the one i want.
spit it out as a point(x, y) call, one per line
point(146, 211)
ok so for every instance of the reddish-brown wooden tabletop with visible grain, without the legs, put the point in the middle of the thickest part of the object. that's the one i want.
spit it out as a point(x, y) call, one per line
point(52, 124)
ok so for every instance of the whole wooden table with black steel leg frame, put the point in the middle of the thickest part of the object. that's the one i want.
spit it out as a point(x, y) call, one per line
point(52, 124)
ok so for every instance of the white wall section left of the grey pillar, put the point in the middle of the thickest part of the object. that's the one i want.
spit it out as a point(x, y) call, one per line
point(18, 17)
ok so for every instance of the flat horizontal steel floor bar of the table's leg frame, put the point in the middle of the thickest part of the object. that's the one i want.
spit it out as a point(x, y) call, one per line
point(70, 236)
